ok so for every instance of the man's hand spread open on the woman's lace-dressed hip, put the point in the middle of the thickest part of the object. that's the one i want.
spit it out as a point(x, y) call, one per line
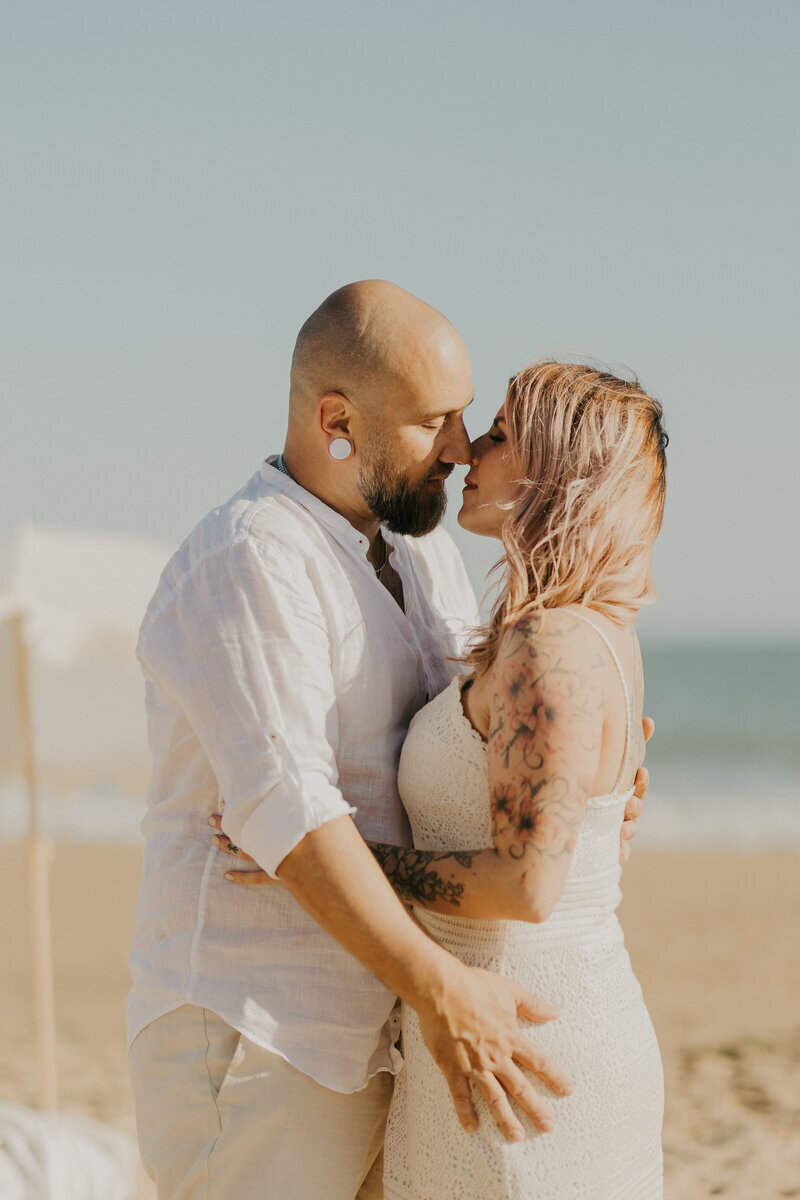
point(474, 1036)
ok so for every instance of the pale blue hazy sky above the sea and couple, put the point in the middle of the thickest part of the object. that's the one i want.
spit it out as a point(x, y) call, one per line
point(184, 183)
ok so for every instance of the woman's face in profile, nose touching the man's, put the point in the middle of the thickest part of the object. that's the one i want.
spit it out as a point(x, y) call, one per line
point(492, 482)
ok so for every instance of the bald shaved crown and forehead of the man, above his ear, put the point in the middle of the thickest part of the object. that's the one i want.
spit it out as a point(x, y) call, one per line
point(369, 340)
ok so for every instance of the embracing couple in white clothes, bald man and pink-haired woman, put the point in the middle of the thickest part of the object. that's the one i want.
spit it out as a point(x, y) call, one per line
point(412, 808)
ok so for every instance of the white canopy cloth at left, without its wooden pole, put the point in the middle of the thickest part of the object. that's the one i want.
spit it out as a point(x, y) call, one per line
point(82, 597)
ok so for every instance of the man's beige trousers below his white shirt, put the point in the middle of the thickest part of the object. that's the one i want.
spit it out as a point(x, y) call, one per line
point(221, 1119)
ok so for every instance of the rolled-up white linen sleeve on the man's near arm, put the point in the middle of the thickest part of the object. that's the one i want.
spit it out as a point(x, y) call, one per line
point(243, 647)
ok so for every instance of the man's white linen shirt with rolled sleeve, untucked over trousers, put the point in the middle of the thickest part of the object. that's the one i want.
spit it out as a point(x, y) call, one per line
point(281, 679)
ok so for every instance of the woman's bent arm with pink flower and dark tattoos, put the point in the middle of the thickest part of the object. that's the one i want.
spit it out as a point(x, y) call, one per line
point(546, 716)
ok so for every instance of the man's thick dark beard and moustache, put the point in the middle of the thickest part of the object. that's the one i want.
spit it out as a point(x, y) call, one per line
point(413, 509)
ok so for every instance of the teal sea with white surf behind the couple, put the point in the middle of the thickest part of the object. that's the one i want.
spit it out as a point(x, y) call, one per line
point(725, 761)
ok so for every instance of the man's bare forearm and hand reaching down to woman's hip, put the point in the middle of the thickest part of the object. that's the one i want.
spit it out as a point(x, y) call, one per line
point(468, 1018)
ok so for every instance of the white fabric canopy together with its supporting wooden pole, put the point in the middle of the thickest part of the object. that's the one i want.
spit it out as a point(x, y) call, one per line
point(71, 707)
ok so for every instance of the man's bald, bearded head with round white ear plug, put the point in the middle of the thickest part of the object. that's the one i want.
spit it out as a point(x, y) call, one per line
point(386, 377)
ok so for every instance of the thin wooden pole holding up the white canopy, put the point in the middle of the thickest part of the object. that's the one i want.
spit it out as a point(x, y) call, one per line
point(40, 856)
